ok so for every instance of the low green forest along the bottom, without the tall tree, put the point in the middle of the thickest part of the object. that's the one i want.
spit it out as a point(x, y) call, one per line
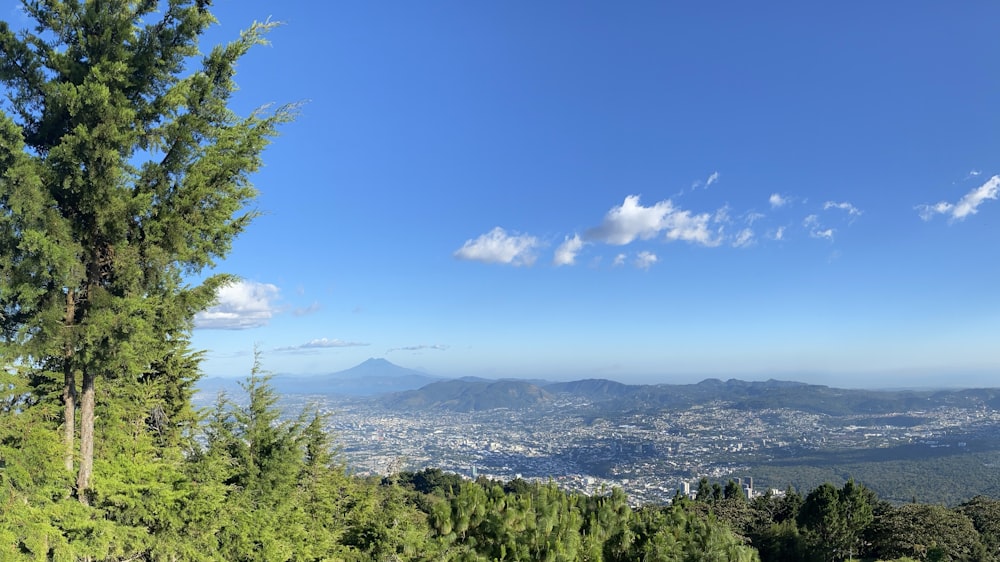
point(243, 484)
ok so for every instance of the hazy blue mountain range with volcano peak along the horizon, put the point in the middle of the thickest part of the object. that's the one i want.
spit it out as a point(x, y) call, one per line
point(403, 388)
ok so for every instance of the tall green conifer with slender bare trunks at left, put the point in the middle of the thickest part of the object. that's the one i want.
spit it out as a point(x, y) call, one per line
point(122, 171)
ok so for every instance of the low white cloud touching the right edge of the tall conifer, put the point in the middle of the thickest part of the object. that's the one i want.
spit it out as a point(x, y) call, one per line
point(240, 306)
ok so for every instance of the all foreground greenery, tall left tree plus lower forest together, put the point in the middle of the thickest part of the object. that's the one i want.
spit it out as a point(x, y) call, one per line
point(121, 179)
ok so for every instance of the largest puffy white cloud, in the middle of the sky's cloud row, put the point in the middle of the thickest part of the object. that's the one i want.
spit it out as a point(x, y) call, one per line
point(630, 221)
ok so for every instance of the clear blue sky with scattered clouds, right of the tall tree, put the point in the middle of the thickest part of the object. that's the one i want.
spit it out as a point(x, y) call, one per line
point(643, 191)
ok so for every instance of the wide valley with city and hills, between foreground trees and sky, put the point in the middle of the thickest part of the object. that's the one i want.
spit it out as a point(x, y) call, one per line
point(651, 440)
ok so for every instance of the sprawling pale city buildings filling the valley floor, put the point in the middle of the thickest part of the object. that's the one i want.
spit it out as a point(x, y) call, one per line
point(652, 456)
